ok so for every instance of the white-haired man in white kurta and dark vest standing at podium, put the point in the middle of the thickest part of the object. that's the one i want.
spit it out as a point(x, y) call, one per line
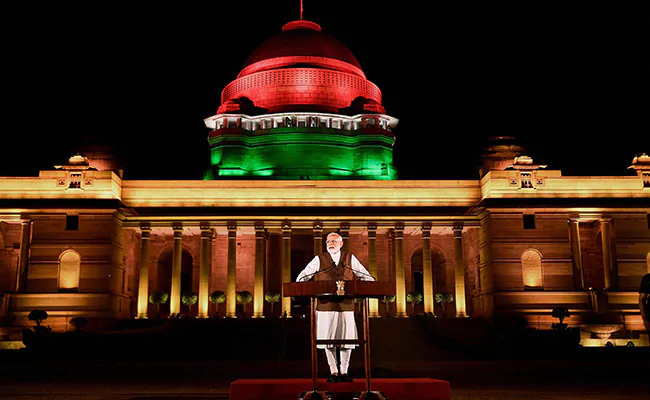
point(335, 318)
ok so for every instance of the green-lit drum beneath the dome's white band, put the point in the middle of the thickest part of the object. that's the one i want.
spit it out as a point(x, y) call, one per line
point(287, 154)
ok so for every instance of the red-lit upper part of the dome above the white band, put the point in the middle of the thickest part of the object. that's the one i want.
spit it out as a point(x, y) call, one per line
point(300, 69)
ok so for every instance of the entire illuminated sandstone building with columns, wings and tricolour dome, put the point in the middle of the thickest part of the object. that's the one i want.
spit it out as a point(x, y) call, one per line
point(301, 146)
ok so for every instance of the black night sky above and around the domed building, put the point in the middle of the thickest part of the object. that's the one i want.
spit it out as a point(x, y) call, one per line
point(571, 82)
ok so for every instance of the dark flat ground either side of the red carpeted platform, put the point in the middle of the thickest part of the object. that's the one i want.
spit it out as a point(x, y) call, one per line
point(202, 380)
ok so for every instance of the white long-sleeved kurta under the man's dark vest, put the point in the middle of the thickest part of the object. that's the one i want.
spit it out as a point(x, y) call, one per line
point(335, 324)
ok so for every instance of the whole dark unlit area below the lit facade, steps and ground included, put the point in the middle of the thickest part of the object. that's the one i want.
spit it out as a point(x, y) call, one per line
point(191, 366)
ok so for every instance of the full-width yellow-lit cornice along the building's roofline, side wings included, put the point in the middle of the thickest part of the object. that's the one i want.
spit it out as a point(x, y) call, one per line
point(496, 188)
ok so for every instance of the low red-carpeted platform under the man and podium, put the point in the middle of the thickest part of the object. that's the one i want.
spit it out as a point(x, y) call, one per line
point(290, 389)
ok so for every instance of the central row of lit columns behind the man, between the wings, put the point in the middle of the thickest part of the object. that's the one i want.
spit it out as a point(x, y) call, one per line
point(397, 266)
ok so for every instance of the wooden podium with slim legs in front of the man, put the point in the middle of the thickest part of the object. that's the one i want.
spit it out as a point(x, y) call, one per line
point(339, 290)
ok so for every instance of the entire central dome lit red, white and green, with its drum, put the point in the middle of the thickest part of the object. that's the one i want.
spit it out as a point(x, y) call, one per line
point(301, 108)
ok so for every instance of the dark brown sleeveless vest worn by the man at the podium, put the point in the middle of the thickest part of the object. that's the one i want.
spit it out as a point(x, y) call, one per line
point(328, 272)
